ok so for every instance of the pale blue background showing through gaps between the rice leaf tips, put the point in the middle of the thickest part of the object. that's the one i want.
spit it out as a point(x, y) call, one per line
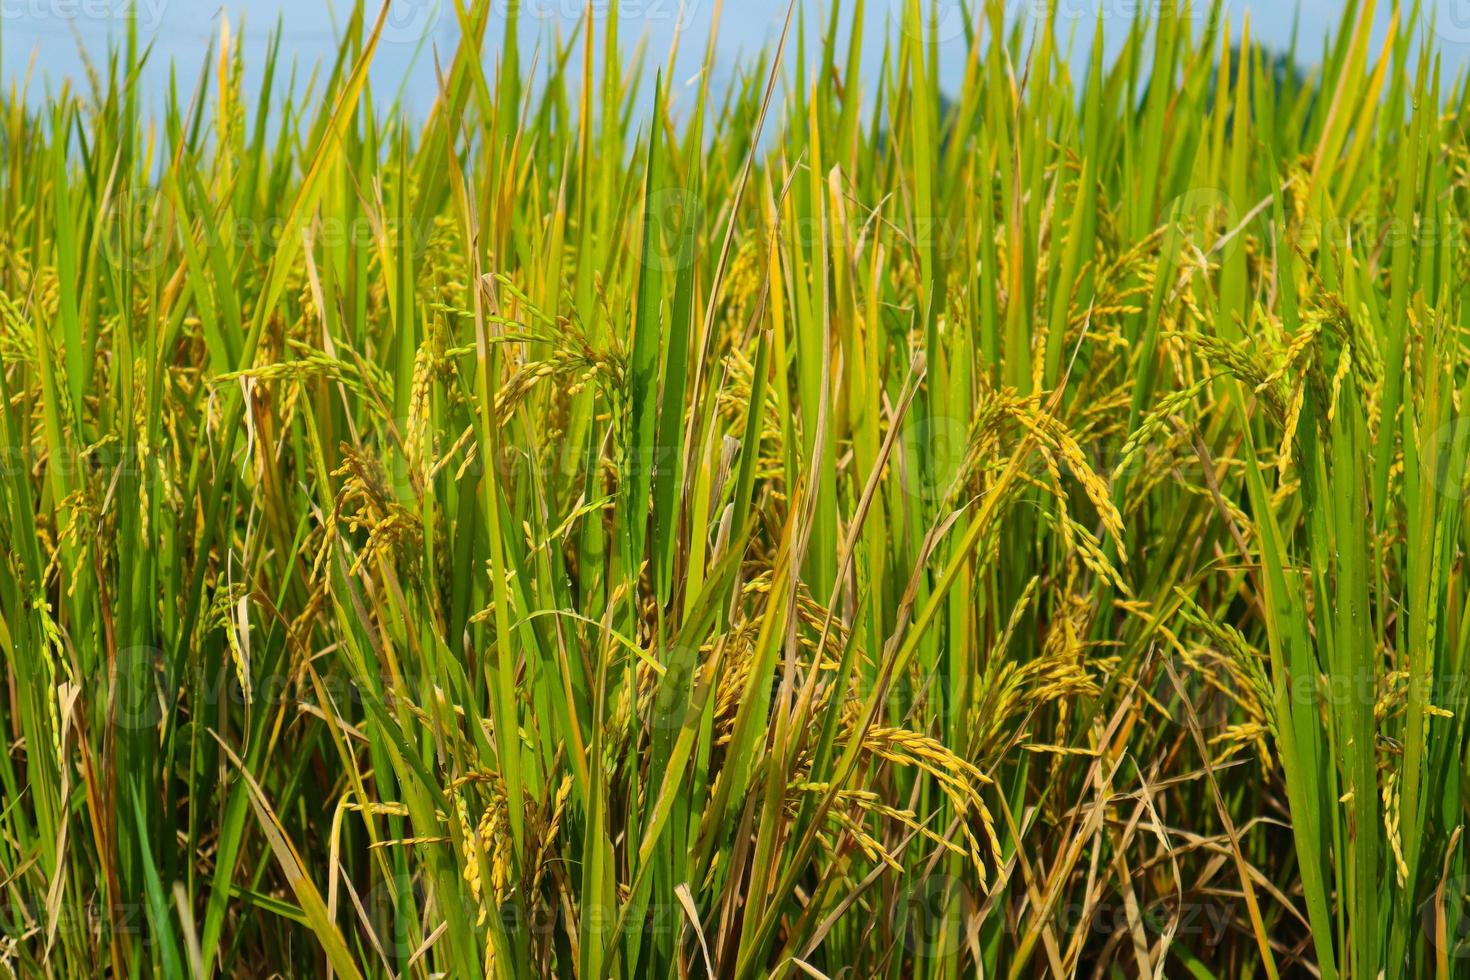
point(179, 30)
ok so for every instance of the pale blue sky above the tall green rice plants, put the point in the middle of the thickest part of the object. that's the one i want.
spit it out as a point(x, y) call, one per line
point(51, 32)
